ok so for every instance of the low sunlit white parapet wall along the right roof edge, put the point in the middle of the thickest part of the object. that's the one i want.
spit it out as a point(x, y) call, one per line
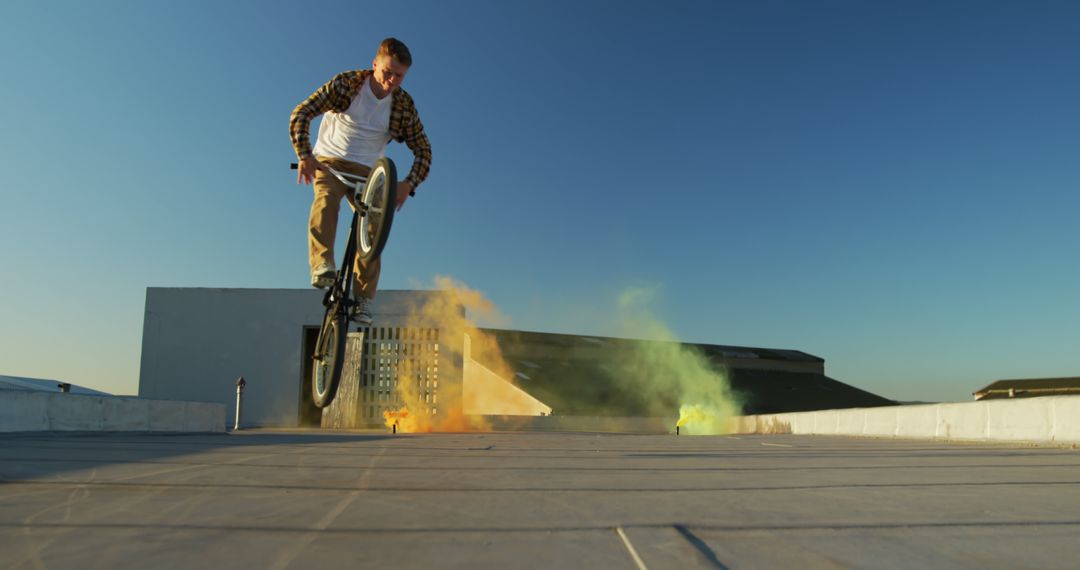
point(1052, 419)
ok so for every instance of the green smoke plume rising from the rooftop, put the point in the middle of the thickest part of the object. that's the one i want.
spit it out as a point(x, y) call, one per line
point(663, 372)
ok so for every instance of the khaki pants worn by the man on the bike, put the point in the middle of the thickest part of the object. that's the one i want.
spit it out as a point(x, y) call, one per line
point(322, 226)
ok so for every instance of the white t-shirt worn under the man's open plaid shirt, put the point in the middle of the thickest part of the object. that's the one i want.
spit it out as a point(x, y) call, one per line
point(361, 133)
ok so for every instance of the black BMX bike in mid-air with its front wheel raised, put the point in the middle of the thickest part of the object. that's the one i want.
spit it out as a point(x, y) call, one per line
point(375, 200)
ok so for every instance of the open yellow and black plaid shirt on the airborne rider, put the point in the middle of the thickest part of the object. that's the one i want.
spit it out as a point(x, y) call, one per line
point(337, 96)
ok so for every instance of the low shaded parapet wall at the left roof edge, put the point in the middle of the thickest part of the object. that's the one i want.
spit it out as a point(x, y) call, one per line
point(45, 412)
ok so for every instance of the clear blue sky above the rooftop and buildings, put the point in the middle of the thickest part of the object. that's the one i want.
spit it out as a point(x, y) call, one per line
point(892, 186)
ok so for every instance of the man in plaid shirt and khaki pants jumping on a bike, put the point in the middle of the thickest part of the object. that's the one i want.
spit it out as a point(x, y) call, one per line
point(364, 111)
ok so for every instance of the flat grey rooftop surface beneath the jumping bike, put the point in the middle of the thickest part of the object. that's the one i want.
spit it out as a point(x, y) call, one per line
point(268, 499)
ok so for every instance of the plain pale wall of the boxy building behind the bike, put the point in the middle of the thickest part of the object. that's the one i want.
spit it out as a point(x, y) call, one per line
point(198, 342)
